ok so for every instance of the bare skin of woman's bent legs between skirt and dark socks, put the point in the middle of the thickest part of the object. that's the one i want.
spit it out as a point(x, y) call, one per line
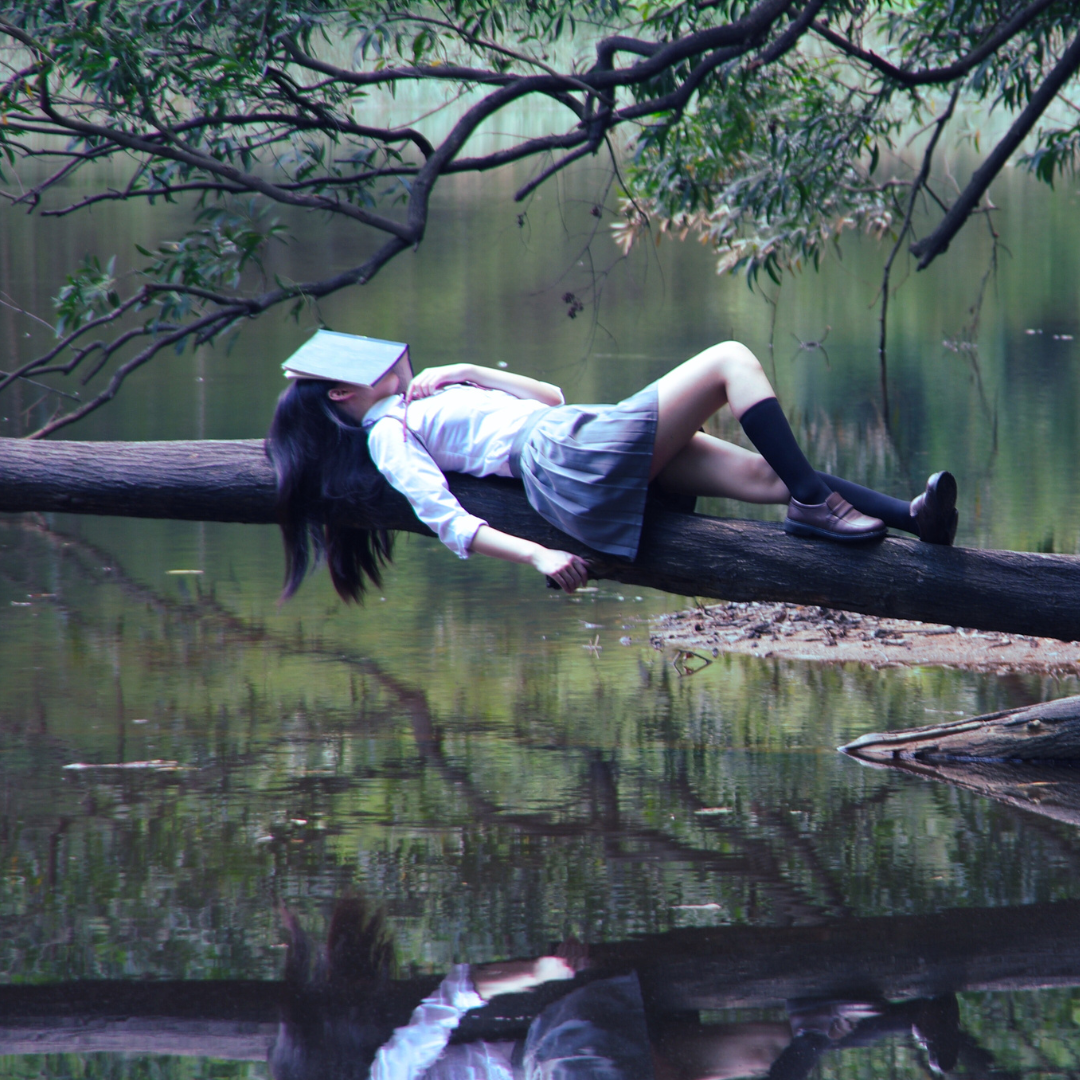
point(686, 461)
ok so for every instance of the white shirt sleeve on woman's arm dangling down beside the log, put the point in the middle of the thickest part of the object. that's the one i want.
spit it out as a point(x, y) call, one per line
point(411, 469)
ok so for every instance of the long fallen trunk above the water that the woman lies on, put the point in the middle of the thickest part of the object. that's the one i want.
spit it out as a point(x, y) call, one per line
point(690, 555)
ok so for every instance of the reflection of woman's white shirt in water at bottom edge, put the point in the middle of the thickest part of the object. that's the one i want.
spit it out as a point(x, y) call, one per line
point(415, 1051)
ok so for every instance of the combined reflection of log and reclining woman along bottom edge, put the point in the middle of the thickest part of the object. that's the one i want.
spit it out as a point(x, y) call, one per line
point(887, 997)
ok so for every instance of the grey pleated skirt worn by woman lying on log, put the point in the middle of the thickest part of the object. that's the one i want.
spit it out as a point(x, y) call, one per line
point(586, 469)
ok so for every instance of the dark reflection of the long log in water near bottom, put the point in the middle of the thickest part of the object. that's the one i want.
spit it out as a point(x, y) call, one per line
point(1008, 949)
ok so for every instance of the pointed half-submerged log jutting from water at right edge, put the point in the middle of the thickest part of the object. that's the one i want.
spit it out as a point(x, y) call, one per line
point(1046, 733)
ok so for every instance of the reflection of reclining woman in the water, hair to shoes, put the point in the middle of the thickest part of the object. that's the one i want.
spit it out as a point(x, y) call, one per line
point(340, 1023)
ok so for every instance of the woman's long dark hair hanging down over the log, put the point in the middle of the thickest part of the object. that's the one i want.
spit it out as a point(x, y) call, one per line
point(323, 468)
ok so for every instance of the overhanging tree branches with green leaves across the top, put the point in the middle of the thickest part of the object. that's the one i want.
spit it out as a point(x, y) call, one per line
point(761, 127)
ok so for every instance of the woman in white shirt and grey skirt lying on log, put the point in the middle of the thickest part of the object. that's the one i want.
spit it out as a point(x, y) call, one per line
point(586, 468)
